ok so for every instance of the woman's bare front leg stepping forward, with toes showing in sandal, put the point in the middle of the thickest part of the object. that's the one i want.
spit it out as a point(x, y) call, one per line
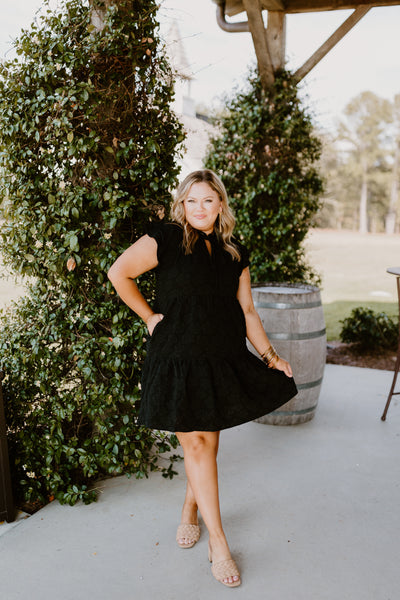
point(200, 453)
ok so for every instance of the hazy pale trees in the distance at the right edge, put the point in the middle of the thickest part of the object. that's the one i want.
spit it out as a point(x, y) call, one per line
point(360, 164)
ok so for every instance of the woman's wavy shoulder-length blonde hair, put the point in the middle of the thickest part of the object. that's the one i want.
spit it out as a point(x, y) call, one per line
point(223, 226)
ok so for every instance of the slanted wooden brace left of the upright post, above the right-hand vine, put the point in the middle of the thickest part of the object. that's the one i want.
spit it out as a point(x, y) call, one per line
point(257, 30)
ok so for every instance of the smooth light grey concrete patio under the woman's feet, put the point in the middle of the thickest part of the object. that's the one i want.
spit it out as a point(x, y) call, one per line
point(311, 513)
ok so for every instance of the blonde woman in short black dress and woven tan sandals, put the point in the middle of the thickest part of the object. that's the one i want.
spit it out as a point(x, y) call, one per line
point(198, 376)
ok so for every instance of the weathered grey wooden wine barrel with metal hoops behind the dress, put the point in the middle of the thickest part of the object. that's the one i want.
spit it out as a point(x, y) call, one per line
point(293, 319)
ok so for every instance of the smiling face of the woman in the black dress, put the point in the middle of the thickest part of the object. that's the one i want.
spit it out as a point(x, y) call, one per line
point(202, 206)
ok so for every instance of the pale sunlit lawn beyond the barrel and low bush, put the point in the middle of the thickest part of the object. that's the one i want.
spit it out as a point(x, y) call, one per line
point(353, 267)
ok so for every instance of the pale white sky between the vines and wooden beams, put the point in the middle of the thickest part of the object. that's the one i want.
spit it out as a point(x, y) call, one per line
point(367, 58)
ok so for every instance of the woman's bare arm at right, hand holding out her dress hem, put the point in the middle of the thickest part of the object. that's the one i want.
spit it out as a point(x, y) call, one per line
point(254, 328)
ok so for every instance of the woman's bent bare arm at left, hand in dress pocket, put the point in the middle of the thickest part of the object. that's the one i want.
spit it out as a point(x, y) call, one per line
point(136, 260)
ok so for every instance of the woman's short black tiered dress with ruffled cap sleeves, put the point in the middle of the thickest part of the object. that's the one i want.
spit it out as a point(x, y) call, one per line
point(198, 374)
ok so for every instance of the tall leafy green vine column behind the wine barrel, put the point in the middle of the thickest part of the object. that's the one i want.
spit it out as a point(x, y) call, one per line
point(265, 153)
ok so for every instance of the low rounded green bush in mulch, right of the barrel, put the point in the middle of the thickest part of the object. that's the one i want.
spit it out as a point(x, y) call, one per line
point(370, 331)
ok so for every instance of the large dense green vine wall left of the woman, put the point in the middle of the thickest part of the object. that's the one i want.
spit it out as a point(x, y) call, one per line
point(87, 142)
